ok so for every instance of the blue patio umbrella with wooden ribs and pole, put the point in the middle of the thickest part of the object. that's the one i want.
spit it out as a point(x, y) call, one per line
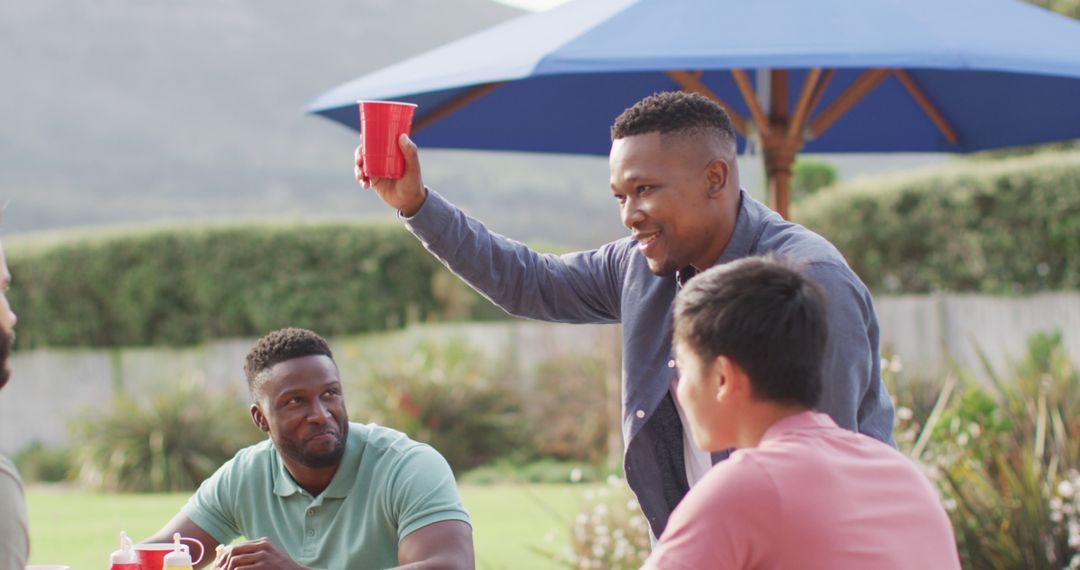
point(828, 76)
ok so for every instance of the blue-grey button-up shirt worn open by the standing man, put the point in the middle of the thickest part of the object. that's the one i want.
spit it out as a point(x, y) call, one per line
point(614, 284)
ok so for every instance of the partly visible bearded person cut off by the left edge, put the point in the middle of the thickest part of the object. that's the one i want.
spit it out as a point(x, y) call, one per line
point(15, 530)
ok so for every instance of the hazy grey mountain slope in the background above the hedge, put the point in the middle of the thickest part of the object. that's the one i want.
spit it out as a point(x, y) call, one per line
point(117, 112)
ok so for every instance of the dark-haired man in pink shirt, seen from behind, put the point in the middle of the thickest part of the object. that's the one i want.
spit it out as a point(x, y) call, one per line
point(800, 492)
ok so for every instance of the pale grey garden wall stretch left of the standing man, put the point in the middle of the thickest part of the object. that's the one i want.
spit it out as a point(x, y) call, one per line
point(51, 388)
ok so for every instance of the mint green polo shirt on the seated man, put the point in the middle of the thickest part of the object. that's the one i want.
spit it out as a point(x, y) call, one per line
point(387, 487)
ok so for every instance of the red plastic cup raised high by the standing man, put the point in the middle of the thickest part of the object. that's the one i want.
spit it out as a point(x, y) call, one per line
point(382, 125)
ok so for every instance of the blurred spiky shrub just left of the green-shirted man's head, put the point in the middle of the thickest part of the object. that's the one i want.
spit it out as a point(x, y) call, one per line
point(170, 443)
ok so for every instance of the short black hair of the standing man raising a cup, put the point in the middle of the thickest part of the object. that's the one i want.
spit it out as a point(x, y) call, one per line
point(674, 113)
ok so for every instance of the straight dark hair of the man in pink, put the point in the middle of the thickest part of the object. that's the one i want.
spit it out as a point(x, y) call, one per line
point(764, 316)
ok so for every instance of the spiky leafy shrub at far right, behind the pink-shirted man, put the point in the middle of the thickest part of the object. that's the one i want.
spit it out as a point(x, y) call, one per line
point(1004, 459)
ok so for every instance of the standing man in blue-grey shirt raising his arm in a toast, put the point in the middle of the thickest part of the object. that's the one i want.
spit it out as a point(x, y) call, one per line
point(676, 179)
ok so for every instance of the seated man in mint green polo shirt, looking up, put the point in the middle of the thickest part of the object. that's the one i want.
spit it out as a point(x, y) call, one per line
point(323, 493)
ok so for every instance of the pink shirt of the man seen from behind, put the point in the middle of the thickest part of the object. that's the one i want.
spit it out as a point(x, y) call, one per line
point(812, 496)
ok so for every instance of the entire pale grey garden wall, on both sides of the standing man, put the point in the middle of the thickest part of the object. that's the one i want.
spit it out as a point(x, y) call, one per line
point(50, 388)
